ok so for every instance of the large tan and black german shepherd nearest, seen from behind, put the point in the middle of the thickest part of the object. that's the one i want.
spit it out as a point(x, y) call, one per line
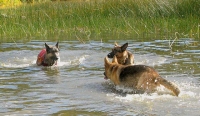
point(141, 78)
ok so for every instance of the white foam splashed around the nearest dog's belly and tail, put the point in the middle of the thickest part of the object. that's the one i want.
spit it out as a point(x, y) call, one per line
point(187, 91)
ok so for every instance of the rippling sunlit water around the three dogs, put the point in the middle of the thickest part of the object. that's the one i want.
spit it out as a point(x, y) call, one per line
point(77, 86)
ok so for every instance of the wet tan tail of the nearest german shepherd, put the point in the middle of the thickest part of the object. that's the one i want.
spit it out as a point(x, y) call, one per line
point(170, 86)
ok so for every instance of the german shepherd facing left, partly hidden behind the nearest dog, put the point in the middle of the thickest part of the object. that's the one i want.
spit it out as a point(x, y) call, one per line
point(124, 57)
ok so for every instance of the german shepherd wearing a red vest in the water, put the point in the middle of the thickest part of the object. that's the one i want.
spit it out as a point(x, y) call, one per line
point(49, 56)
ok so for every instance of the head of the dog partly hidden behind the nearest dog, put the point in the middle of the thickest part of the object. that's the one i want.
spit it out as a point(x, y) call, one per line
point(118, 50)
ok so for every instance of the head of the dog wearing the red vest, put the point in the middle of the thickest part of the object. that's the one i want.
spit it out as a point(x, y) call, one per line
point(52, 54)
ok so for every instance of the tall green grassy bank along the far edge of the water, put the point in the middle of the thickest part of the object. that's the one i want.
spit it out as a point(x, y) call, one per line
point(112, 19)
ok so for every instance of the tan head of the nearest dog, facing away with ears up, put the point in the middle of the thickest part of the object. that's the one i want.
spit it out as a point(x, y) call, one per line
point(109, 67)
